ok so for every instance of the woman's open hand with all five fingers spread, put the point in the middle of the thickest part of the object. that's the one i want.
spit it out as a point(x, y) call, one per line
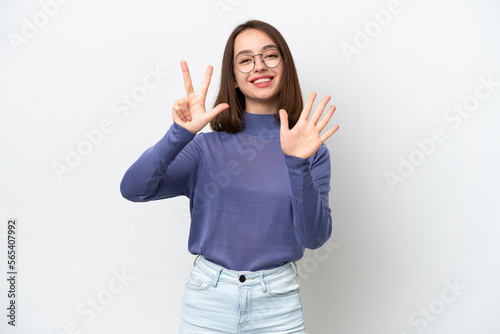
point(305, 138)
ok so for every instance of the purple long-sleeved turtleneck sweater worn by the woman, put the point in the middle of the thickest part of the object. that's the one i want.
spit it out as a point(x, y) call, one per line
point(252, 207)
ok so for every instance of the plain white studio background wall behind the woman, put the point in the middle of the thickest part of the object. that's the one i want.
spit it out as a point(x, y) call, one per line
point(393, 252)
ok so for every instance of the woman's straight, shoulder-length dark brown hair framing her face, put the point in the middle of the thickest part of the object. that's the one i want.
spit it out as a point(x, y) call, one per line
point(290, 96)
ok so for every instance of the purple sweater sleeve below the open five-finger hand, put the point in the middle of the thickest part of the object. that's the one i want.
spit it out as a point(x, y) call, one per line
point(310, 185)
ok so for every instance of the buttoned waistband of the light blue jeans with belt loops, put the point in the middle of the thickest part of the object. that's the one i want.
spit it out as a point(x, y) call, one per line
point(221, 274)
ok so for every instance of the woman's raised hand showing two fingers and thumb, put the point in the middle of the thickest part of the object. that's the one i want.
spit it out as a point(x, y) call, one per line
point(189, 112)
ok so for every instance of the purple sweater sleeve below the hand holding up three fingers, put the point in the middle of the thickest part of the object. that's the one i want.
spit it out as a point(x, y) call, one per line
point(165, 170)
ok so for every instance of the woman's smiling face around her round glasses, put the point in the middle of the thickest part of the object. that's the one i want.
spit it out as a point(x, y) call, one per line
point(266, 89)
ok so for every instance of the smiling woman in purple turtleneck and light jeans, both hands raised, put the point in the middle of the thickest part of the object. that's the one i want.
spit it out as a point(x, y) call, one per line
point(258, 186)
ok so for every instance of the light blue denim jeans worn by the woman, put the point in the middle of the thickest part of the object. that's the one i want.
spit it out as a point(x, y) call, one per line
point(218, 300)
